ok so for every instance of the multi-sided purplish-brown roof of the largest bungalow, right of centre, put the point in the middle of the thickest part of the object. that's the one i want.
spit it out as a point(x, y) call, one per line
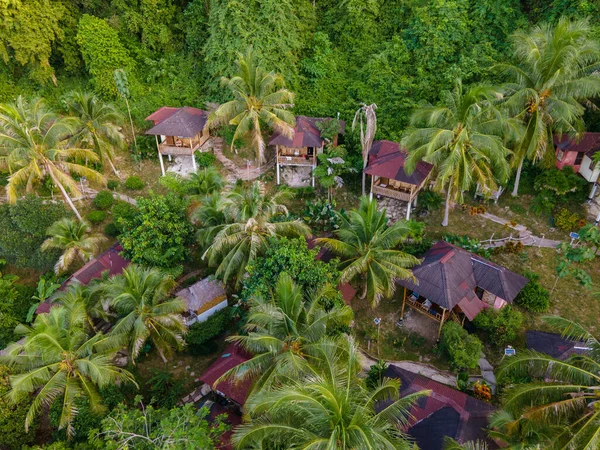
point(449, 275)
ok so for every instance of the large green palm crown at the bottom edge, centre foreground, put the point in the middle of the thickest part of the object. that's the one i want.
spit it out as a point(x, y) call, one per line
point(331, 408)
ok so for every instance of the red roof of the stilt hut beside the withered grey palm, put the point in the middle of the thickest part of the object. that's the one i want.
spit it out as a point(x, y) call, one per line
point(386, 159)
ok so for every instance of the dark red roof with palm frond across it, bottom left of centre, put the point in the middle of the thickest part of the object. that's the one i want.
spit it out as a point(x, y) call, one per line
point(236, 391)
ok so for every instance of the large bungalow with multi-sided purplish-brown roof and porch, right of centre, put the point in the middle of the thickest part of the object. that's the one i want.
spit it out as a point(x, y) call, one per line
point(454, 284)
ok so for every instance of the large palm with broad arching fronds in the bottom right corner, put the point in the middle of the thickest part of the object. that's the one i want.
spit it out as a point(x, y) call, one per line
point(563, 394)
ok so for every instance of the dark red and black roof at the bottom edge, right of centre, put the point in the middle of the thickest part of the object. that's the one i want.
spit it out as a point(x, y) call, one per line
point(446, 412)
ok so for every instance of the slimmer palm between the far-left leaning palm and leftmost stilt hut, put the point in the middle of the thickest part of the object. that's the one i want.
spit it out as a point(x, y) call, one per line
point(97, 126)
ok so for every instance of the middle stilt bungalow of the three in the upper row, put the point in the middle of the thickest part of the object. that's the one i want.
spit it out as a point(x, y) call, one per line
point(302, 149)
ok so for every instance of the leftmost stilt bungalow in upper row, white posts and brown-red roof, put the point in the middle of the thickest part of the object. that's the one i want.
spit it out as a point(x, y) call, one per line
point(182, 132)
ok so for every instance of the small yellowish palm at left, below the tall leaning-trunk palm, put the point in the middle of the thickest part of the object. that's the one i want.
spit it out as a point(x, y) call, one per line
point(74, 240)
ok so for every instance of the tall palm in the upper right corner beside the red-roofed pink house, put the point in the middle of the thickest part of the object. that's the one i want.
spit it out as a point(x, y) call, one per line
point(555, 71)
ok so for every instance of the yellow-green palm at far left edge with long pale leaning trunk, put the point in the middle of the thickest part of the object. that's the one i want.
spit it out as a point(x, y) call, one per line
point(33, 140)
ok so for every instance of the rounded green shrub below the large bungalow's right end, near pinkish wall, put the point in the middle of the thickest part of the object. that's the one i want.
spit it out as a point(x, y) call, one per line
point(501, 326)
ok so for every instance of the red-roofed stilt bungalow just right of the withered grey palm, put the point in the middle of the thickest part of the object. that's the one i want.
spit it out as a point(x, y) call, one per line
point(388, 177)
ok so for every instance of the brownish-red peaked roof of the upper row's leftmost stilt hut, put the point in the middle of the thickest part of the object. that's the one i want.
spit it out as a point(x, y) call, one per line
point(186, 122)
